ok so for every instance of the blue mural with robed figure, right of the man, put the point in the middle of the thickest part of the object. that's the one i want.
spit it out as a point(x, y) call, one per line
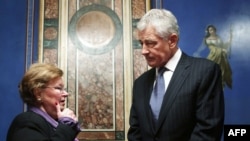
point(219, 31)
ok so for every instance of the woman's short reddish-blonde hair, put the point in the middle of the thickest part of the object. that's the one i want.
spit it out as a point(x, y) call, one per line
point(37, 76)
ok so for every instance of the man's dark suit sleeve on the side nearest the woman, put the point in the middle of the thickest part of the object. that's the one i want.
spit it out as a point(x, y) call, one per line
point(134, 133)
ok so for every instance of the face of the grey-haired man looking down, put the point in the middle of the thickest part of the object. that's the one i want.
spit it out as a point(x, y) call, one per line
point(156, 50)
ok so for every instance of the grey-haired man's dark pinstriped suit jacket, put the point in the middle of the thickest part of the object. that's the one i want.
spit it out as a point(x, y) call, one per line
point(192, 108)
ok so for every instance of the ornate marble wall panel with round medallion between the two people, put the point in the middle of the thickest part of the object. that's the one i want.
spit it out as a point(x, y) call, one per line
point(91, 40)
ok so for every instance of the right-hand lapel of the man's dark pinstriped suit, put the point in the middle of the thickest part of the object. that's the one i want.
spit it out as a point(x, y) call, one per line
point(180, 74)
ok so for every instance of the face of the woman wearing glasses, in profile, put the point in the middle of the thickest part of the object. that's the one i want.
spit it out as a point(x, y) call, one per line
point(51, 95)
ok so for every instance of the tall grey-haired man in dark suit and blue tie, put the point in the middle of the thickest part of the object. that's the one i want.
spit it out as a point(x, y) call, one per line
point(191, 107)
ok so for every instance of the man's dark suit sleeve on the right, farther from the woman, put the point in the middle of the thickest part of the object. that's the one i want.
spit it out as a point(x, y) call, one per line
point(209, 107)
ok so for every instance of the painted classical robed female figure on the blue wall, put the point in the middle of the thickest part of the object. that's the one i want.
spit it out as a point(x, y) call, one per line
point(219, 51)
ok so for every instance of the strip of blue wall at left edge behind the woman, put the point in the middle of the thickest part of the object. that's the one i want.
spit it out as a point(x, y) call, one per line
point(12, 59)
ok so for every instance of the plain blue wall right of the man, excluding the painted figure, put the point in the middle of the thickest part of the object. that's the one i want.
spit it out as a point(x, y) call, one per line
point(193, 17)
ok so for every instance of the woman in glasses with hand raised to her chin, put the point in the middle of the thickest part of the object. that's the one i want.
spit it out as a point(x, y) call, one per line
point(46, 119)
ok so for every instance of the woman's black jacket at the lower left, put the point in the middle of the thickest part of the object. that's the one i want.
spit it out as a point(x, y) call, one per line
point(29, 126)
